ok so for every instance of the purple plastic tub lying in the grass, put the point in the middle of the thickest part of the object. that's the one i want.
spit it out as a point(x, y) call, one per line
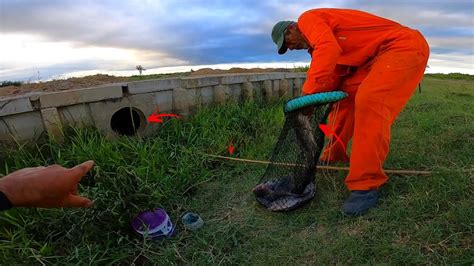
point(154, 223)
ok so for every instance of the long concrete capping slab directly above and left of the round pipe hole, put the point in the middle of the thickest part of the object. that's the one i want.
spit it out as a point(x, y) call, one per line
point(70, 97)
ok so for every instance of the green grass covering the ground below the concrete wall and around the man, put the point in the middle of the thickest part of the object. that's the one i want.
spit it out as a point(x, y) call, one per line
point(419, 220)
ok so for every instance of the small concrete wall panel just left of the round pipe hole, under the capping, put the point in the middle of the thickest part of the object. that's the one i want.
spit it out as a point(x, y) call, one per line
point(76, 115)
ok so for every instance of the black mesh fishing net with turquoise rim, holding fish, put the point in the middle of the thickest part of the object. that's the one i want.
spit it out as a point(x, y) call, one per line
point(289, 180)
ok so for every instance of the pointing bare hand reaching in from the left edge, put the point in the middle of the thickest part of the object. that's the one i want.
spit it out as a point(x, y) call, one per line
point(46, 187)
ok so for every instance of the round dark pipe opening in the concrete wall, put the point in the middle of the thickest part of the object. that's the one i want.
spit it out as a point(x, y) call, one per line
point(127, 121)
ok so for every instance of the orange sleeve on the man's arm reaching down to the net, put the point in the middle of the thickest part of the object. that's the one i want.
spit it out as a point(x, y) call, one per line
point(325, 52)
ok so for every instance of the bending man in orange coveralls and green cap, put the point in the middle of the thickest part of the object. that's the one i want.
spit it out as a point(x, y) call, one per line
point(379, 63)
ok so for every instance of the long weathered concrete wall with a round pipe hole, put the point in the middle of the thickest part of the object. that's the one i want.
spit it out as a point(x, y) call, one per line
point(123, 108)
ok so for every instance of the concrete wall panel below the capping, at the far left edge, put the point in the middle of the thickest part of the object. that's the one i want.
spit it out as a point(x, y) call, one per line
point(21, 127)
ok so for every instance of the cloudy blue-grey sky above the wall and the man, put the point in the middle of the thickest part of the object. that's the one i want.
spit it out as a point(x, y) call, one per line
point(58, 38)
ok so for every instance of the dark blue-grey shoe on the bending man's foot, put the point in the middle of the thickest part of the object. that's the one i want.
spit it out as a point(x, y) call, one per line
point(360, 201)
